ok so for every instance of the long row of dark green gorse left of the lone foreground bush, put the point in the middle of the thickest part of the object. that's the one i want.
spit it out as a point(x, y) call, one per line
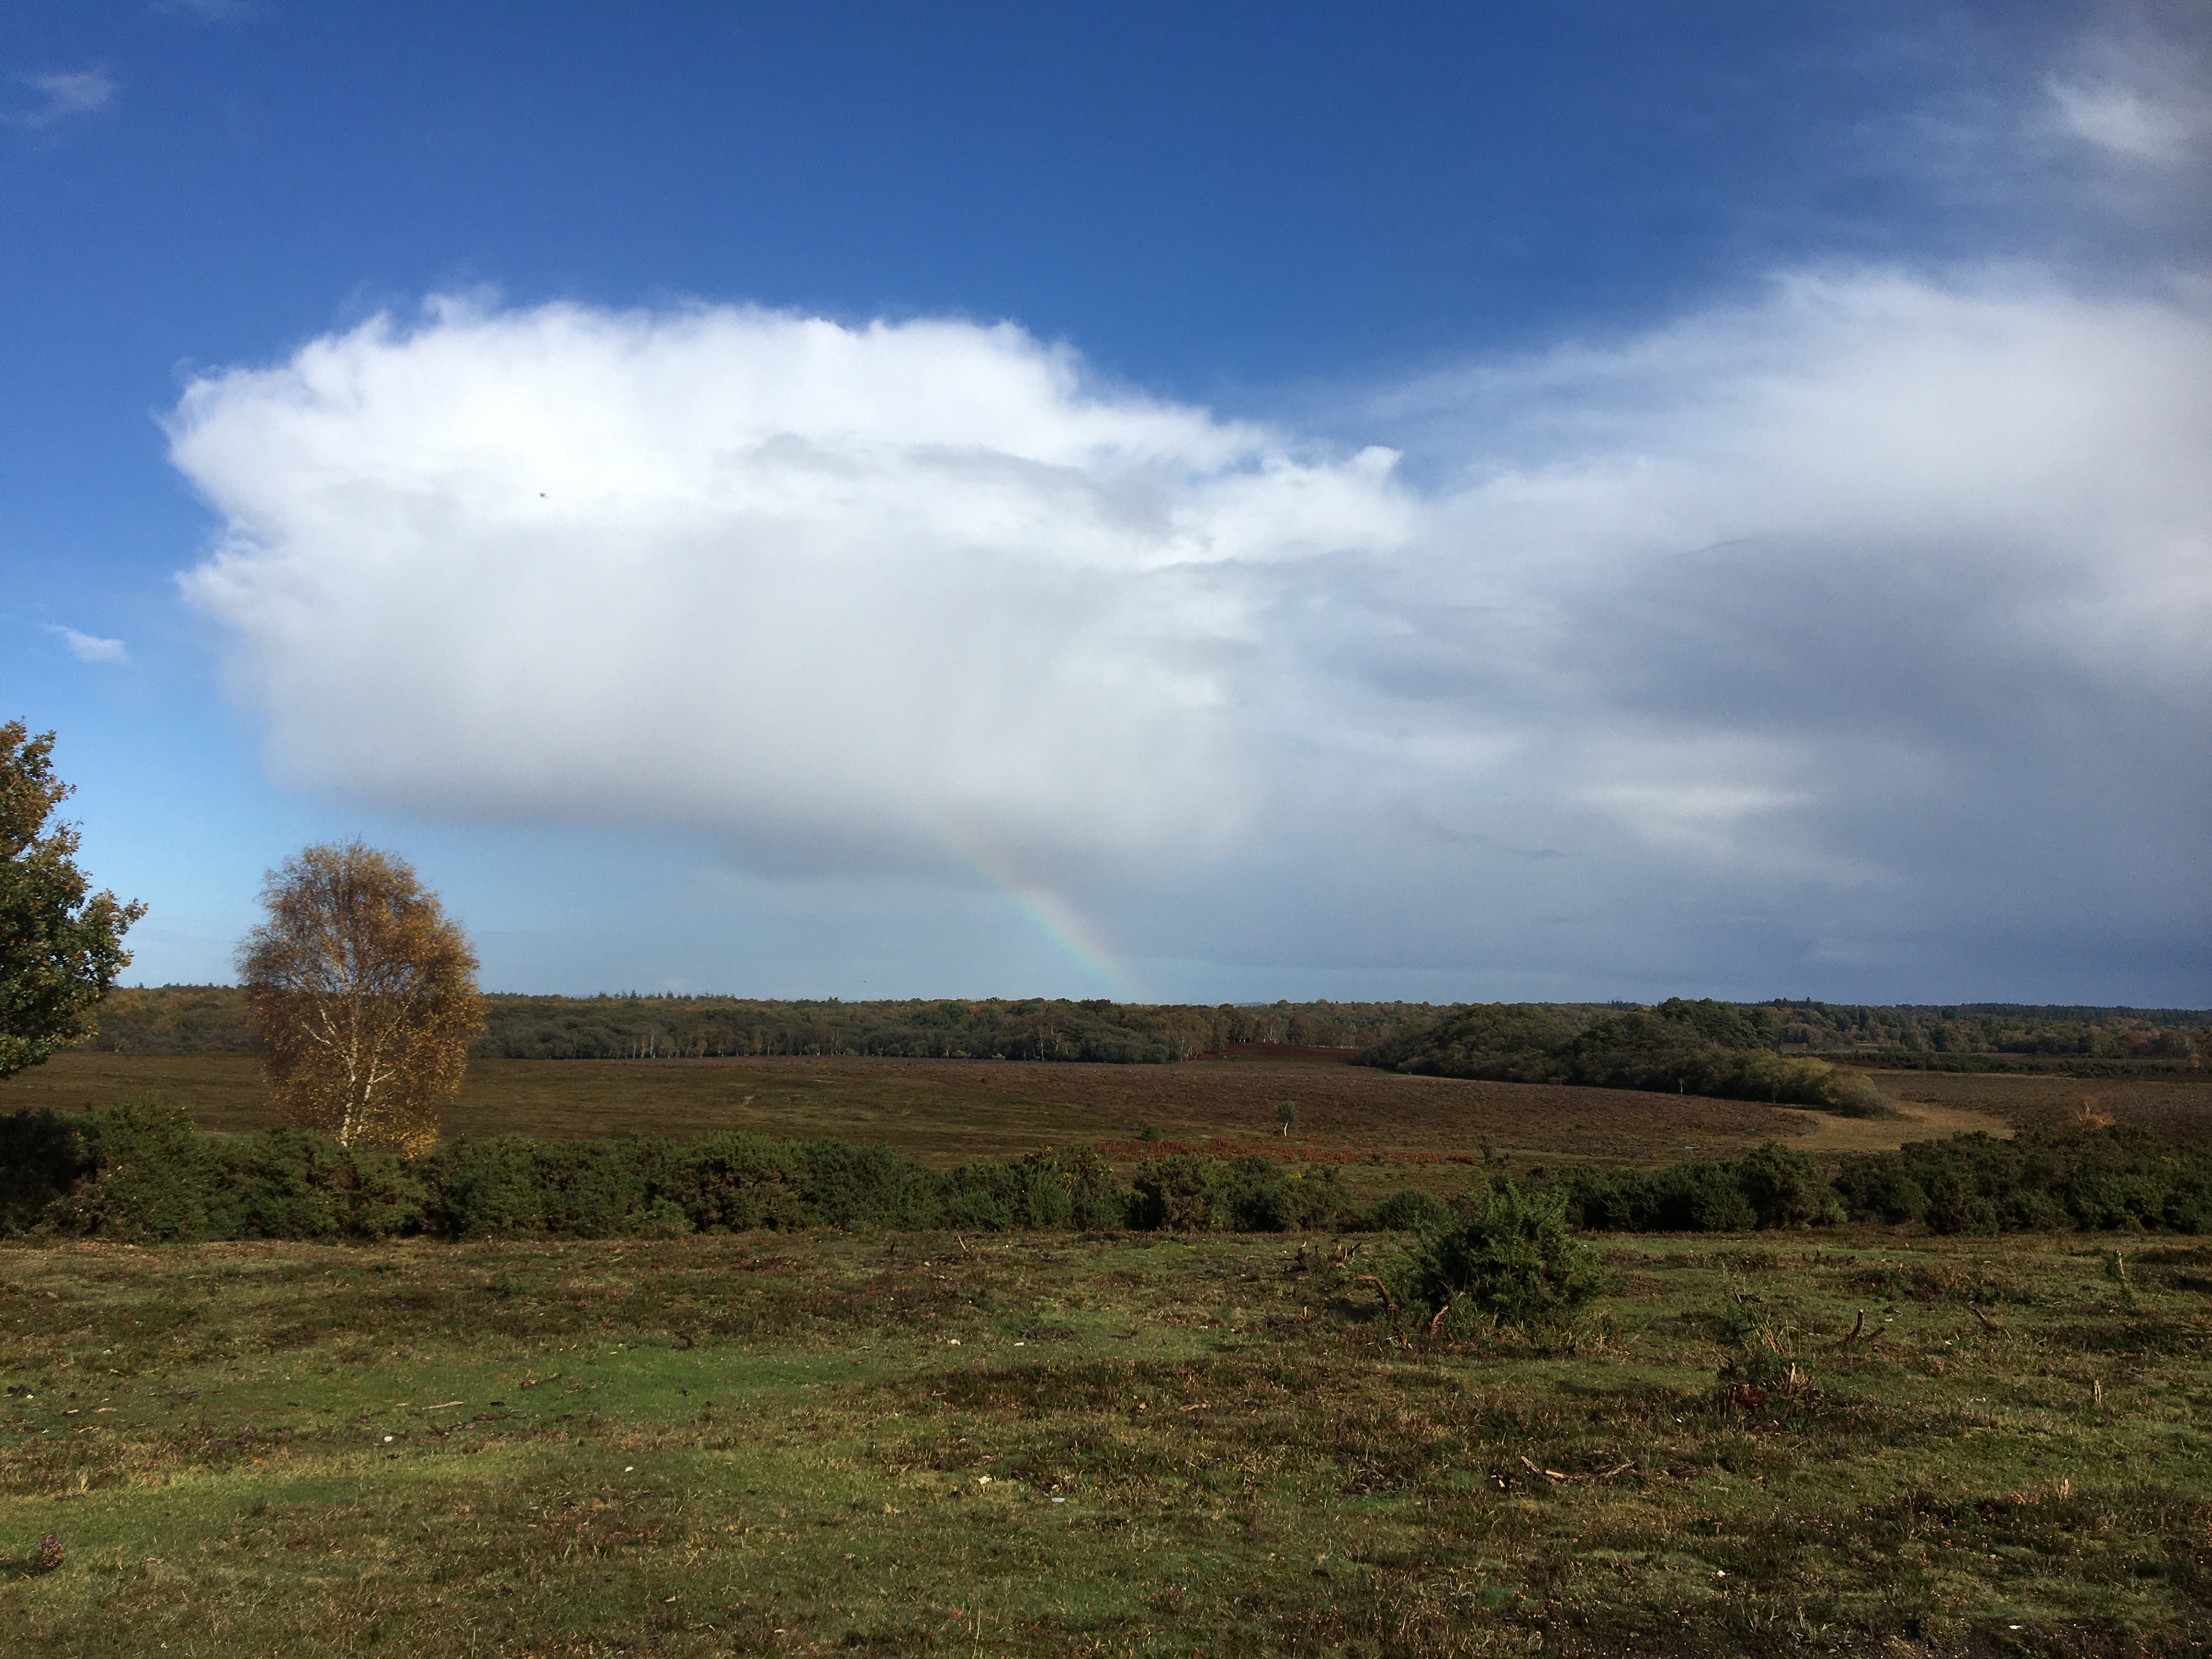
point(143, 1173)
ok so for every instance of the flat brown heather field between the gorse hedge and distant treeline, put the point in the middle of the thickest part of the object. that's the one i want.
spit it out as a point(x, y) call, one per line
point(948, 1112)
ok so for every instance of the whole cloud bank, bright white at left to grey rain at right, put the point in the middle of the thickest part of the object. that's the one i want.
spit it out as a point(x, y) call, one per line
point(1859, 625)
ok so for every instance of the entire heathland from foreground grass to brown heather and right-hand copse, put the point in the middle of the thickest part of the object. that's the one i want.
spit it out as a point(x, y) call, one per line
point(870, 1355)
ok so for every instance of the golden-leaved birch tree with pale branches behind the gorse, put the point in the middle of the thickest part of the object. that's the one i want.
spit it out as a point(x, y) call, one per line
point(364, 997)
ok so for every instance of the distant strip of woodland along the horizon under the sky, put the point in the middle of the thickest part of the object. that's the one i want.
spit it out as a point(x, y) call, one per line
point(213, 1019)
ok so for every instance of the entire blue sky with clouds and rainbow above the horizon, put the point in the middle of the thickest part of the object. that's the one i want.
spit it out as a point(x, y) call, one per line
point(1158, 501)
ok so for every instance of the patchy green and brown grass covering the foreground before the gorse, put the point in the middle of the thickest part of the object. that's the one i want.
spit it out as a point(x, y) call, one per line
point(1134, 1446)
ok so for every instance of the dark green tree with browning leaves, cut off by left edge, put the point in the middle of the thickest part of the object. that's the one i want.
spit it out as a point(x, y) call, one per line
point(61, 946)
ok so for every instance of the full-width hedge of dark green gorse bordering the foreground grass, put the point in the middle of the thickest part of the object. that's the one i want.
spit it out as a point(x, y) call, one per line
point(140, 1173)
